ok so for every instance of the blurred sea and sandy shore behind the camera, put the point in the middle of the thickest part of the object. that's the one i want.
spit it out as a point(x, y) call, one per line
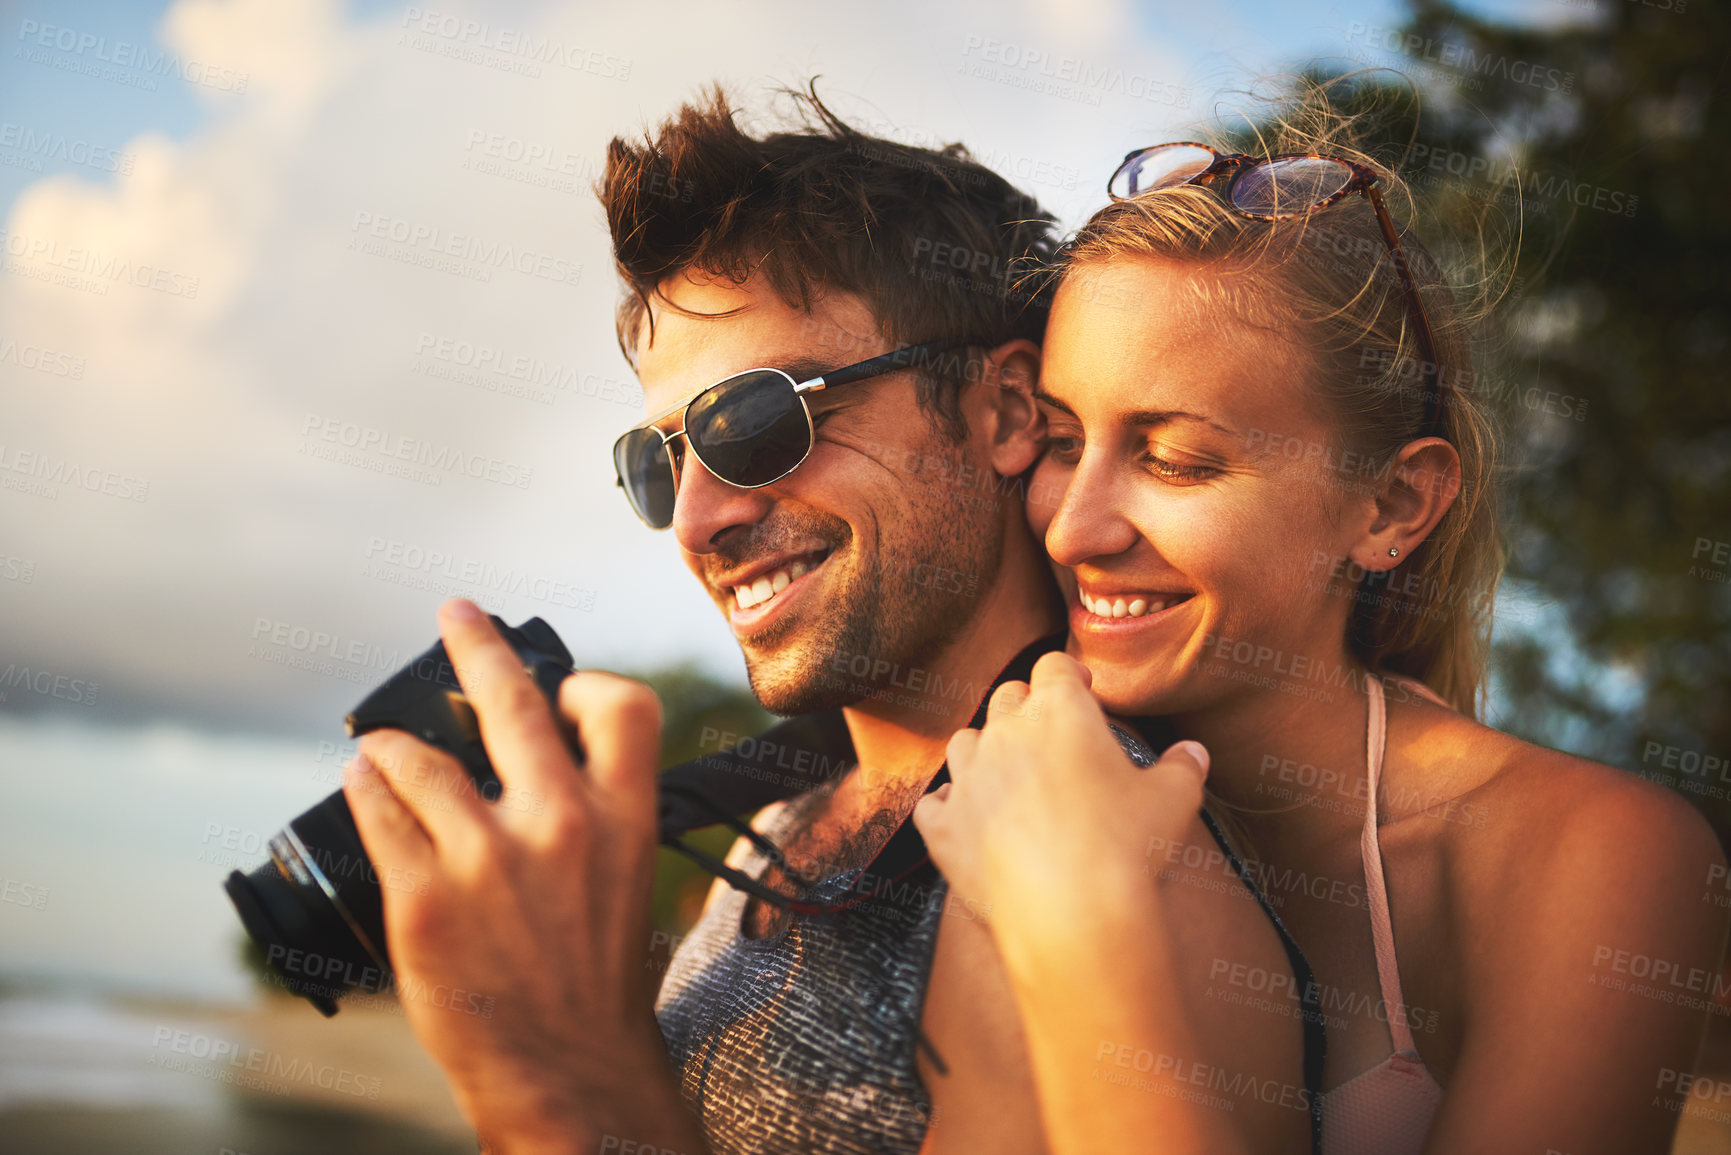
point(127, 1021)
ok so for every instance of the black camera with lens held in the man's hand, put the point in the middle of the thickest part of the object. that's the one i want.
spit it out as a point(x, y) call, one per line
point(316, 907)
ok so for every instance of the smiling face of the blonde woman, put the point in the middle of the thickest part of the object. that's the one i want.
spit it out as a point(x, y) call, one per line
point(1190, 481)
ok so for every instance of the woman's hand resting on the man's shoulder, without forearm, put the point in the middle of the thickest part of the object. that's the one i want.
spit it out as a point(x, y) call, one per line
point(1046, 820)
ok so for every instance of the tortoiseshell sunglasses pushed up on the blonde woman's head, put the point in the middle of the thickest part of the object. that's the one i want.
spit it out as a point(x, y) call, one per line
point(1285, 188)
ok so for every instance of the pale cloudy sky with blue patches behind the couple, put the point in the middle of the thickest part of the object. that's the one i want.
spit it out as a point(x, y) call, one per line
point(226, 321)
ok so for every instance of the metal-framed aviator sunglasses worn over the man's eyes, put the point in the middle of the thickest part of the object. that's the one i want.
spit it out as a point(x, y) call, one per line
point(750, 430)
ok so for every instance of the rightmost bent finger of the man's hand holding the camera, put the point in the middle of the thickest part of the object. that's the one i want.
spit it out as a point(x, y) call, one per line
point(619, 721)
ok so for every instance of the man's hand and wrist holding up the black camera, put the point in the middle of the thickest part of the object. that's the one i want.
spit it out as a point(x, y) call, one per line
point(520, 946)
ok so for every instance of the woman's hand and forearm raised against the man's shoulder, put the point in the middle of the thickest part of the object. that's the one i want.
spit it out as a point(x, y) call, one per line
point(1052, 827)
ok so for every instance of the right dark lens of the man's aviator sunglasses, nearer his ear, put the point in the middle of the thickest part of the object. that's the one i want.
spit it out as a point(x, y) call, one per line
point(752, 429)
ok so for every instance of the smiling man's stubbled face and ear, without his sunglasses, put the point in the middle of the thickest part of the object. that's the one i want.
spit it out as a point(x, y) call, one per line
point(873, 508)
